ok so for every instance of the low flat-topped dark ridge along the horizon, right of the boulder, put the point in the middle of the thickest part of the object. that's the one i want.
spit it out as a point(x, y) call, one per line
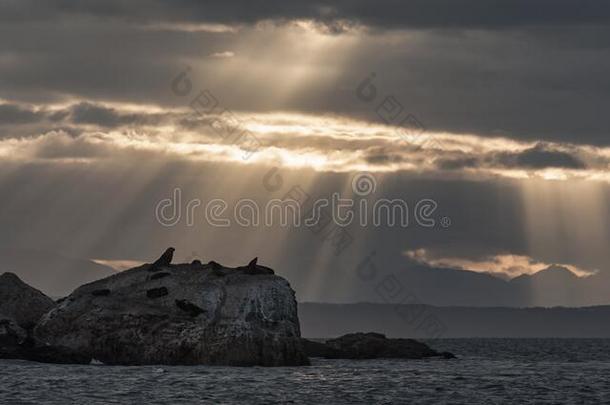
point(423, 321)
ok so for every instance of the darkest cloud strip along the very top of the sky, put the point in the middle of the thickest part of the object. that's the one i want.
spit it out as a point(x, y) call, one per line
point(384, 13)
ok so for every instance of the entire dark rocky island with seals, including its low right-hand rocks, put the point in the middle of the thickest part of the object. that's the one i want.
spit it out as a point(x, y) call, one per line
point(175, 314)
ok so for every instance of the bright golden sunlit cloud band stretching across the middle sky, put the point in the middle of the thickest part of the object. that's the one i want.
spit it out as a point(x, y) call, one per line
point(324, 143)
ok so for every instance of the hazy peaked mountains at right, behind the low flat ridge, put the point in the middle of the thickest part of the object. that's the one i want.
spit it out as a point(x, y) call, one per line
point(553, 286)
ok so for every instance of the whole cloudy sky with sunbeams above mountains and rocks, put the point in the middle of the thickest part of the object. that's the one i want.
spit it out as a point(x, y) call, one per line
point(498, 115)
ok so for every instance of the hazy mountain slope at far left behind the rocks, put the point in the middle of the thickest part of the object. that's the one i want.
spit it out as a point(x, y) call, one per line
point(54, 274)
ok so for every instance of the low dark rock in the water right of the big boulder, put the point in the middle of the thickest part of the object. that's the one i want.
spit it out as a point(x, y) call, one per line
point(370, 346)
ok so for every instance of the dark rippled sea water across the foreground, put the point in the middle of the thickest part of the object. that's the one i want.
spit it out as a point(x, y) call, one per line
point(488, 371)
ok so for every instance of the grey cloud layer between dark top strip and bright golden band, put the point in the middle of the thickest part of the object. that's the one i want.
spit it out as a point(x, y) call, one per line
point(537, 82)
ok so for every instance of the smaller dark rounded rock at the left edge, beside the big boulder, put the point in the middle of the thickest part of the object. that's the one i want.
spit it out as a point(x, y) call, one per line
point(20, 302)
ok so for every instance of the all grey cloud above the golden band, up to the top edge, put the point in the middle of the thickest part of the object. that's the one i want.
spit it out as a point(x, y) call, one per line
point(526, 70)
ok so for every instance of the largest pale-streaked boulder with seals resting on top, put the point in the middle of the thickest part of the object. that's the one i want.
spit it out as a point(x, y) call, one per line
point(210, 315)
